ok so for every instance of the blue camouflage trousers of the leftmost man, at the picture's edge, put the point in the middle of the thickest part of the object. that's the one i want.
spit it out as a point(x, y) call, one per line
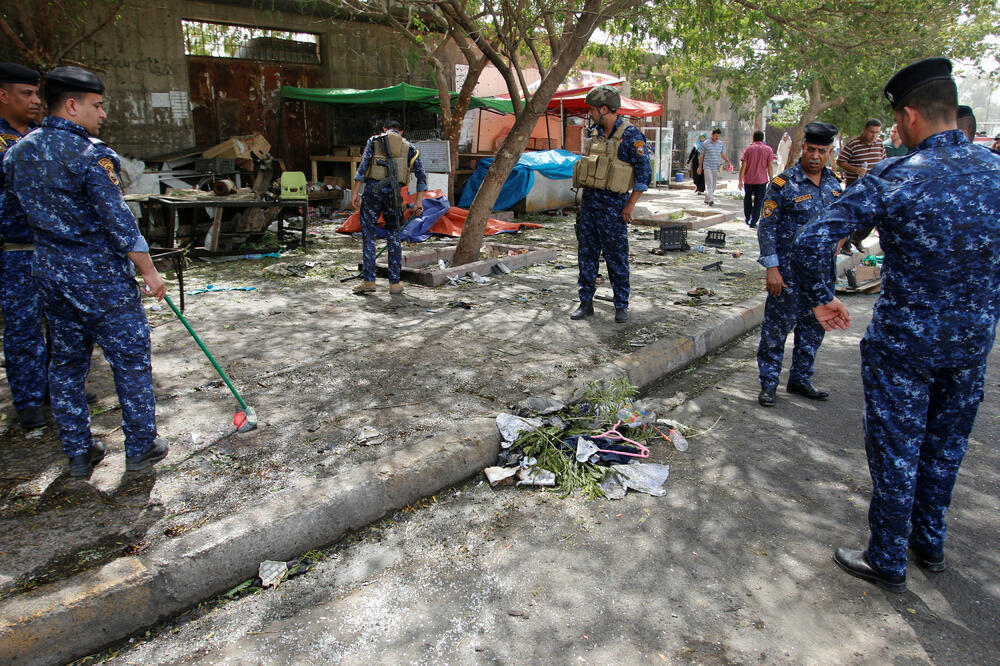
point(25, 352)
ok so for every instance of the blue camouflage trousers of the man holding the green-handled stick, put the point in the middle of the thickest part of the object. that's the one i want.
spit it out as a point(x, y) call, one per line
point(117, 322)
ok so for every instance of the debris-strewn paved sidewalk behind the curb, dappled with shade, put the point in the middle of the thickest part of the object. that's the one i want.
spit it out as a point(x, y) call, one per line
point(320, 364)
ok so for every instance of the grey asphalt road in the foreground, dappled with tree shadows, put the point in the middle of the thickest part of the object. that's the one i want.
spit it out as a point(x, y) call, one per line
point(733, 565)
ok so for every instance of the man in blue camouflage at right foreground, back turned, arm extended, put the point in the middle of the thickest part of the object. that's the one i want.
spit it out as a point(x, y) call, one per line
point(923, 358)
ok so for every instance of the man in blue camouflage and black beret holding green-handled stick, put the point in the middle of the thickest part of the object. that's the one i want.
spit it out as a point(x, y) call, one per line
point(87, 247)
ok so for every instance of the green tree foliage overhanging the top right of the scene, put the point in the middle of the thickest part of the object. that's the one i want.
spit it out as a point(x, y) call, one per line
point(836, 55)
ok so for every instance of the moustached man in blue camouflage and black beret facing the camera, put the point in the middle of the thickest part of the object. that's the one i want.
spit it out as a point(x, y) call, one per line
point(793, 198)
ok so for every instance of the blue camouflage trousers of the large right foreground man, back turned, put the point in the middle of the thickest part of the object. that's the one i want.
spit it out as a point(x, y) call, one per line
point(917, 426)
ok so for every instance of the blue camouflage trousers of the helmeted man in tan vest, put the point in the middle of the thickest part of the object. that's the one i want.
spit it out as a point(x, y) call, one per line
point(600, 228)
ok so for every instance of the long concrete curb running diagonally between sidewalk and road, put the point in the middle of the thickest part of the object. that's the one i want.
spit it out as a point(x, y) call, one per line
point(72, 618)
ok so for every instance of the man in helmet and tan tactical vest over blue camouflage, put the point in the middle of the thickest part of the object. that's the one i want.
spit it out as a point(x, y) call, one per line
point(614, 172)
